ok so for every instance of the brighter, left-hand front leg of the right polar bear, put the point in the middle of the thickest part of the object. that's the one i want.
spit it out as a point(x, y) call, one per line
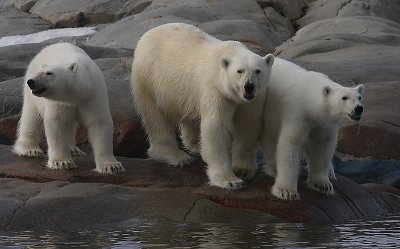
point(289, 151)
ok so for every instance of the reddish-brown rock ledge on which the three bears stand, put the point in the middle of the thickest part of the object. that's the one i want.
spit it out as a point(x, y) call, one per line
point(351, 201)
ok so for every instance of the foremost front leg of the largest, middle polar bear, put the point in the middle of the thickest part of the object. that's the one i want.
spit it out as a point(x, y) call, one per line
point(216, 130)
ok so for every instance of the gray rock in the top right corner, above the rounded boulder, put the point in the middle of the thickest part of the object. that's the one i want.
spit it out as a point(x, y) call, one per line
point(324, 9)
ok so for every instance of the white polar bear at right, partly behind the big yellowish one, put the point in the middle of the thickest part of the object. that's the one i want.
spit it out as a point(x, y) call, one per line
point(301, 116)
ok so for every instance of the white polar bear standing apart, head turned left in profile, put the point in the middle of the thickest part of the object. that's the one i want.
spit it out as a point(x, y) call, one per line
point(63, 86)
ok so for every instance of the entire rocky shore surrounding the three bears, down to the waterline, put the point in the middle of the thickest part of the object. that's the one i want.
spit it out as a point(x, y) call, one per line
point(353, 42)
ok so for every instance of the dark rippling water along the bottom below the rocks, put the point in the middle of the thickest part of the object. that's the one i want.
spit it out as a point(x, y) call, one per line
point(377, 233)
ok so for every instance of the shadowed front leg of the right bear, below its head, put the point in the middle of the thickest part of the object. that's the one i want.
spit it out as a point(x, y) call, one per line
point(319, 152)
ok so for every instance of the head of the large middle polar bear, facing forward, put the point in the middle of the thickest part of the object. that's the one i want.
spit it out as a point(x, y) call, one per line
point(247, 73)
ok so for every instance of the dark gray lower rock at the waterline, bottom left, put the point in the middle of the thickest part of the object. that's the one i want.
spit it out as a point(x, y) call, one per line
point(28, 205)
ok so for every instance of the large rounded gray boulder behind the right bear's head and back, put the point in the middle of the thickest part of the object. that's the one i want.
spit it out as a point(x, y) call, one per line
point(334, 46)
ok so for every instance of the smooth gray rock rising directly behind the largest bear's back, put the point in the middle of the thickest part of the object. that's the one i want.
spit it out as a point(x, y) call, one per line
point(229, 19)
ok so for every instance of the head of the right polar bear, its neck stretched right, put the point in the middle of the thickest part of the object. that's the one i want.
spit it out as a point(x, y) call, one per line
point(345, 102)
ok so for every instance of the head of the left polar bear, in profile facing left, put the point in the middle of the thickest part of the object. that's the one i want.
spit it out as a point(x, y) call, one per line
point(53, 82)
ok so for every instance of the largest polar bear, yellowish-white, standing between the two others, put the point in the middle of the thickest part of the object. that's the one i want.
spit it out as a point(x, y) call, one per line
point(184, 77)
